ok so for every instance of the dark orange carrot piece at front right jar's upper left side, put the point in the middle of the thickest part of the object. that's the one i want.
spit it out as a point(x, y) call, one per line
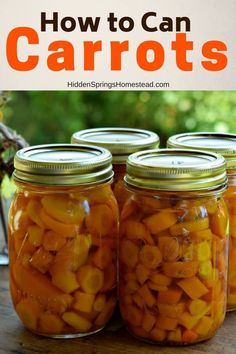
point(137, 231)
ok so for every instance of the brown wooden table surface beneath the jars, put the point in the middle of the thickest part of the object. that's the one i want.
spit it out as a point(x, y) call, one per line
point(15, 339)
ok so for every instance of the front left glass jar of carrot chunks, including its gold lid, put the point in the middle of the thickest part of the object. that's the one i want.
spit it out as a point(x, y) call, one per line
point(63, 240)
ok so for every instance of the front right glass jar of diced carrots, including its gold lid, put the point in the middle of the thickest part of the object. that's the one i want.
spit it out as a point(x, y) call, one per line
point(173, 252)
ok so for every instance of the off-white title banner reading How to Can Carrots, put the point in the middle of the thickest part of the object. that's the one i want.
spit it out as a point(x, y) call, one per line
point(118, 45)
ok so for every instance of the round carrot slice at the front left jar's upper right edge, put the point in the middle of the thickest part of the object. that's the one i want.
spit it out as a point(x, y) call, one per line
point(100, 220)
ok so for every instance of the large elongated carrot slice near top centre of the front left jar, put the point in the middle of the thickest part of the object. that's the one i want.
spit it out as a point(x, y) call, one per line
point(63, 209)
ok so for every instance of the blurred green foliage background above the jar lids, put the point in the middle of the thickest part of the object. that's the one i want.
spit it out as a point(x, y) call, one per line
point(52, 117)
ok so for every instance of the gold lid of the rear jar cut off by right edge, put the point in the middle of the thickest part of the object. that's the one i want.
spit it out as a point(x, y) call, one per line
point(221, 143)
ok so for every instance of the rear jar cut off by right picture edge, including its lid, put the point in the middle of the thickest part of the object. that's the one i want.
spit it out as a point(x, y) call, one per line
point(224, 144)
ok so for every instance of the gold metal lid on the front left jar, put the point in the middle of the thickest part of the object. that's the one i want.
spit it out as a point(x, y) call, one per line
point(63, 164)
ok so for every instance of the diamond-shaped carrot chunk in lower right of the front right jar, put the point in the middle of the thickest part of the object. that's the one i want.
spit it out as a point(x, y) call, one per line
point(193, 287)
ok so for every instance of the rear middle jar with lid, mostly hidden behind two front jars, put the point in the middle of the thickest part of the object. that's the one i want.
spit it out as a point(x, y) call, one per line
point(121, 142)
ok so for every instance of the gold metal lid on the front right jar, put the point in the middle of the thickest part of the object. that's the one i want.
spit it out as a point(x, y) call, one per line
point(176, 170)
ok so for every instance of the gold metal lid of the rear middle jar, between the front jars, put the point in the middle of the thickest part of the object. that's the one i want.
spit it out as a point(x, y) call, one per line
point(121, 142)
